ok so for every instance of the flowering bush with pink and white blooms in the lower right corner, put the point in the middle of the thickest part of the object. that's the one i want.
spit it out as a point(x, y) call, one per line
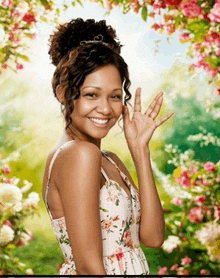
point(195, 225)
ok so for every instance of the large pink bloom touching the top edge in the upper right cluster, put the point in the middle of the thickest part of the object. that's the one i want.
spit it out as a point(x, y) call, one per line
point(191, 9)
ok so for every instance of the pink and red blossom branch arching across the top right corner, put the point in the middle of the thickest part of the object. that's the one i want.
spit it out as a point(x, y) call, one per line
point(198, 22)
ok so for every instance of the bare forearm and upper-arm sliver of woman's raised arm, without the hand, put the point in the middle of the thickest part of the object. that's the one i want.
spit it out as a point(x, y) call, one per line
point(152, 220)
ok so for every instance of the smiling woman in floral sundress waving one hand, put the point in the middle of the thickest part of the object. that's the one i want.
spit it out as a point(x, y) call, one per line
point(98, 214)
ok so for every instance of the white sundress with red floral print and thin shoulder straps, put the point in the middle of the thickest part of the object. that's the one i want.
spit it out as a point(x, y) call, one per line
point(120, 216)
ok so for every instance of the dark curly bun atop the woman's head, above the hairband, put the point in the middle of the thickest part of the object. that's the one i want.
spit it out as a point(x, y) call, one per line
point(69, 35)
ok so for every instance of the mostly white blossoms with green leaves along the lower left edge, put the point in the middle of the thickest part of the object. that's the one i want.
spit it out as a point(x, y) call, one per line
point(13, 210)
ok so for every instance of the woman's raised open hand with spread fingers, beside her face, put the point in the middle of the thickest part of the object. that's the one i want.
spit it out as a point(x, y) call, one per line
point(139, 130)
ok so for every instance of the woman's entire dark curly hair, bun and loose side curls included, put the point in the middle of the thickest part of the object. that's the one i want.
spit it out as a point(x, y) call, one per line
point(74, 61)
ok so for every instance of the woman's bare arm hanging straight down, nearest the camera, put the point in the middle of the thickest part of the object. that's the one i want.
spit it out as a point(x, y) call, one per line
point(78, 181)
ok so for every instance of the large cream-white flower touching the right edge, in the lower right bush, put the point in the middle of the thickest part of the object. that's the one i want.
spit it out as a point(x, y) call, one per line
point(208, 233)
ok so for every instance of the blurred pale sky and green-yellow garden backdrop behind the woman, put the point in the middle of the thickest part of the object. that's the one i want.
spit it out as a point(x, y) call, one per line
point(31, 119)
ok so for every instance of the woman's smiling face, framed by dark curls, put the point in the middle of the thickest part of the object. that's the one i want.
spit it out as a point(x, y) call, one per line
point(101, 99)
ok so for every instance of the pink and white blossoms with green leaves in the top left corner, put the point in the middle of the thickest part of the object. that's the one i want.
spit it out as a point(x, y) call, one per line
point(18, 19)
